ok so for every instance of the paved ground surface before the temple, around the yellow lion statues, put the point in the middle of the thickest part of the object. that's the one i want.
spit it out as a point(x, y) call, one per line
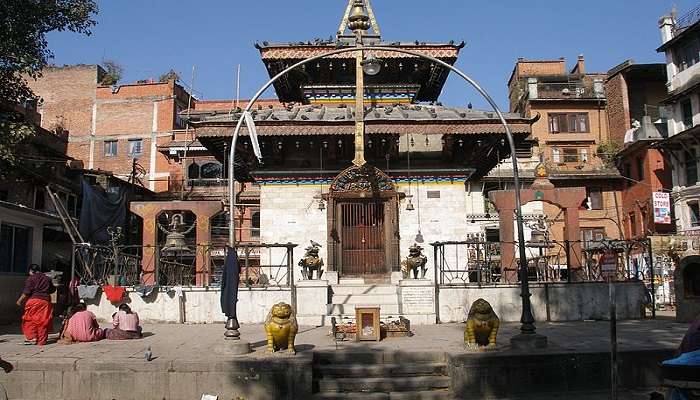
point(195, 342)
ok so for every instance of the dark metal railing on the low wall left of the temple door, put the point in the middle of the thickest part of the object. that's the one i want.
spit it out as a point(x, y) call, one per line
point(96, 264)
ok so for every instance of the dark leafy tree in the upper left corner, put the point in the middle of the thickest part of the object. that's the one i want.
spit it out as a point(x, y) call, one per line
point(24, 53)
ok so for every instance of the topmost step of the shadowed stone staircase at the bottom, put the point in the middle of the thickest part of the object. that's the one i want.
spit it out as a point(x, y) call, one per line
point(344, 357)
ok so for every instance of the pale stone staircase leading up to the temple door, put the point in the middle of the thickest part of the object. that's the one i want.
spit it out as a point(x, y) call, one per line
point(347, 296)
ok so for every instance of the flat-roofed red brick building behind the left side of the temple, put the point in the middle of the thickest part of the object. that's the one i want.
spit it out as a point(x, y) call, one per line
point(110, 126)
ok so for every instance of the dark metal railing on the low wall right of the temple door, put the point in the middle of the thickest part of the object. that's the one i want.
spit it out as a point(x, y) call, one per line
point(478, 262)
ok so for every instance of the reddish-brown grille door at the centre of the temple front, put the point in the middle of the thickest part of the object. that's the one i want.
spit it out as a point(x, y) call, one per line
point(363, 247)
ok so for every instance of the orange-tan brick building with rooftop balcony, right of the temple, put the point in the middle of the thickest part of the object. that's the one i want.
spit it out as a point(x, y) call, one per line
point(572, 122)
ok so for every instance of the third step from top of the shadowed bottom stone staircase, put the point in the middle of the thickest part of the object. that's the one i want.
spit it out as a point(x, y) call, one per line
point(390, 384)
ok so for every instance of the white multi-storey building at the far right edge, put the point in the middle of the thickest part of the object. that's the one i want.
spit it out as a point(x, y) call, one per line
point(681, 43)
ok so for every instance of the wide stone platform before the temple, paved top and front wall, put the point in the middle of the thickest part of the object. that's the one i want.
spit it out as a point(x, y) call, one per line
point(185, 365)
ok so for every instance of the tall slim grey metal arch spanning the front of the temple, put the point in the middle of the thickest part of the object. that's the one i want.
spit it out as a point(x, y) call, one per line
point(527, 318)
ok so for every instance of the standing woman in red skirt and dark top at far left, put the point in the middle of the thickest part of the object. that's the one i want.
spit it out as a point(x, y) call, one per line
point(38, 311)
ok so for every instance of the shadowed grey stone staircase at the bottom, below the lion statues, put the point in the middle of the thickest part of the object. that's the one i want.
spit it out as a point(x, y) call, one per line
point(364, 375)
